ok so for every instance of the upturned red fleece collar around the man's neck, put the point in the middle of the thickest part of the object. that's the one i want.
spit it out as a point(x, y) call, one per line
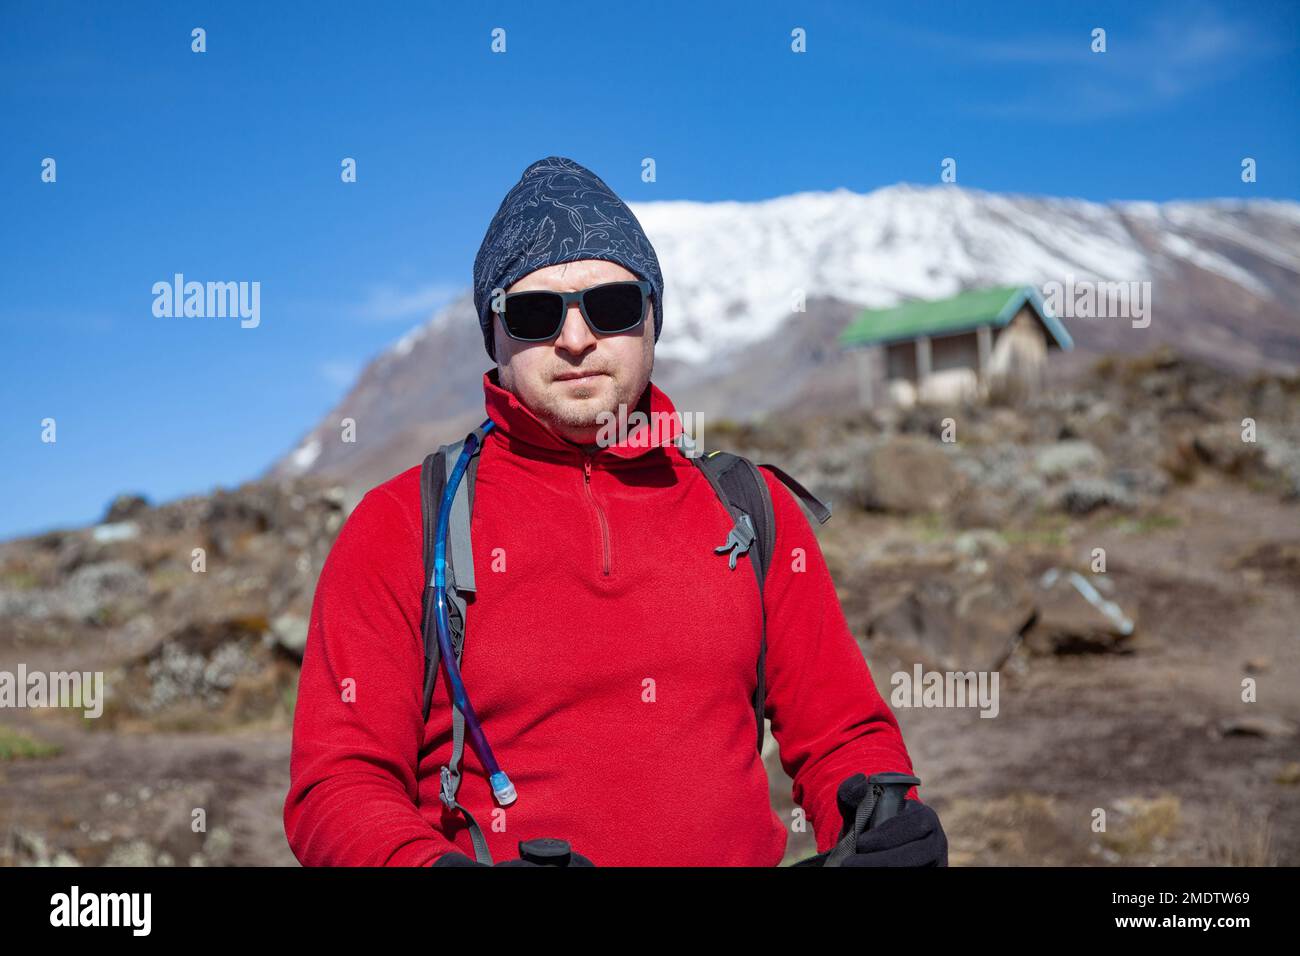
point(517, 422)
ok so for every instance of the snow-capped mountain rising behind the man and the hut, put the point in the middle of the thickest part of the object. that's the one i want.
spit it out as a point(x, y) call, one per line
point(1225, 284)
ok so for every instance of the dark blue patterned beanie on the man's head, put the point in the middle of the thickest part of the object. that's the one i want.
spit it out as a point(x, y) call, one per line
point(560, 213)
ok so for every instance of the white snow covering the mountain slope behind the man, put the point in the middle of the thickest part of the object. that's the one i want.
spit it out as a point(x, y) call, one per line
point(731, 270)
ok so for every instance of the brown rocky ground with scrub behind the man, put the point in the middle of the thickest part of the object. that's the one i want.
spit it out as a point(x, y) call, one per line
point(968, 539)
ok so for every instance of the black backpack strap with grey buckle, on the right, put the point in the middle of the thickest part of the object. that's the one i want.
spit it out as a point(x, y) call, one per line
point(744, 494)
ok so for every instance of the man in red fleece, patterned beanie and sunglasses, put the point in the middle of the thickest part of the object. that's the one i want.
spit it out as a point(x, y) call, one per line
point(612, 651)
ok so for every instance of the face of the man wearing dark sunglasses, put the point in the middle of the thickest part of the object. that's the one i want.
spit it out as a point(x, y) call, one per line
point(619, 366)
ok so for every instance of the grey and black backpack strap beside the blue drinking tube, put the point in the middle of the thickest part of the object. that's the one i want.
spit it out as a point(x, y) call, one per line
point(461, 581)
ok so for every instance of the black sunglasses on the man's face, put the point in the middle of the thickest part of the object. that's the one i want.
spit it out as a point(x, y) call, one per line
point(608, 309)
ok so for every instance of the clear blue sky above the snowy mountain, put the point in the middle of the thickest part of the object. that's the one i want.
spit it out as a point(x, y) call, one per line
point(226, 166)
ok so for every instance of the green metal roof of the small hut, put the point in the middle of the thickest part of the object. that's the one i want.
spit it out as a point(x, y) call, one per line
point(961, 313)
